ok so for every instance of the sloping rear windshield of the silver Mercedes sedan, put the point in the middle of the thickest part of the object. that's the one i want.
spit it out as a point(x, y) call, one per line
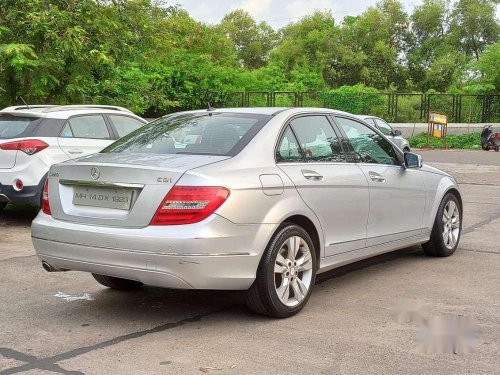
point(198, 134)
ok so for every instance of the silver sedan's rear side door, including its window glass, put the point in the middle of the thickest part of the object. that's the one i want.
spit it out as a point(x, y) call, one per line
point(311, 154)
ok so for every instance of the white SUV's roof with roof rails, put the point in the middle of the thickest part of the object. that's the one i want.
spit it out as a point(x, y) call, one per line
point(63, 111)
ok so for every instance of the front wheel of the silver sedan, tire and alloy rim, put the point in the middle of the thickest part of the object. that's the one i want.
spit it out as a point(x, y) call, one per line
point(447, 229)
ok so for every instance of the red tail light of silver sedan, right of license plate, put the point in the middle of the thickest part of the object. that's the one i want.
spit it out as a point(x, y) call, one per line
point(189, 204)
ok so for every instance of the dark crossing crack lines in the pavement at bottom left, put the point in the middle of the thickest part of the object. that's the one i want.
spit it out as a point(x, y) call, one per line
point(50, 363)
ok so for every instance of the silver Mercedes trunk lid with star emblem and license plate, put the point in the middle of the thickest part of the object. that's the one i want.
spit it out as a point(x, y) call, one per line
point(122, 190)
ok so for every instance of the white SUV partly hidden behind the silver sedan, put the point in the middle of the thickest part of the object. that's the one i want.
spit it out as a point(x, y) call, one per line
point(32, 138)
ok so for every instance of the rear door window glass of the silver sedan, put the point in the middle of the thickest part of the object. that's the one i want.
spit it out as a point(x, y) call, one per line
point(317, 139)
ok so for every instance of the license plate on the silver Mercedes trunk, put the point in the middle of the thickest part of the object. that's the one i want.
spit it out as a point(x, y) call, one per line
point(119, 199)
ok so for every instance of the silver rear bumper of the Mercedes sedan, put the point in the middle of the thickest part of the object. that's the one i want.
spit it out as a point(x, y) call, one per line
point(214, 254)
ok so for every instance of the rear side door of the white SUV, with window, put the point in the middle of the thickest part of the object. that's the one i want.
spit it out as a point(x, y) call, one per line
point(84, 135)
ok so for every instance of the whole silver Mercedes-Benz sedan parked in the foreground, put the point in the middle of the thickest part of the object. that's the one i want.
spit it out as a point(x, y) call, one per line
point(259, 199)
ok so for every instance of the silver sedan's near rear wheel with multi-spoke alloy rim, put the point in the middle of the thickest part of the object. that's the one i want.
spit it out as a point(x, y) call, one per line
point(286, 274)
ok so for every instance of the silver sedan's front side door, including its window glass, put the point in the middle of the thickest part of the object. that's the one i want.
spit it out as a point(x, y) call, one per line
point(397, 194)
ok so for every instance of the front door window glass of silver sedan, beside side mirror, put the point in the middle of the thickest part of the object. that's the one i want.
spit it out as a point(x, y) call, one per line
point(369, 146)
